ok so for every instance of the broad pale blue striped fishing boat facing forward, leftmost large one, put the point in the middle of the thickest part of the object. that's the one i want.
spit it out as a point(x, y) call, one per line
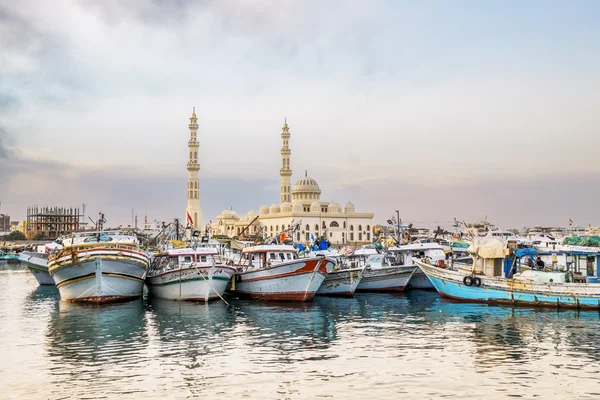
point(99, 267)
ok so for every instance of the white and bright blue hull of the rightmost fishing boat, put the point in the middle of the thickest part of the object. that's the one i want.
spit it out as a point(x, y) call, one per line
point(512, 291)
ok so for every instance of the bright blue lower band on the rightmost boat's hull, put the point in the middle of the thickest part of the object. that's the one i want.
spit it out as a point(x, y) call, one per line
point(460, 291)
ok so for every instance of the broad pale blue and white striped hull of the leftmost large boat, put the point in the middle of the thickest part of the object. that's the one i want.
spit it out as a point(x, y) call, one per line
point(99, 275)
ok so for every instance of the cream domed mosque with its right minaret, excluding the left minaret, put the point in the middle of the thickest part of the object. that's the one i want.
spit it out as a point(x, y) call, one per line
point(301, 206)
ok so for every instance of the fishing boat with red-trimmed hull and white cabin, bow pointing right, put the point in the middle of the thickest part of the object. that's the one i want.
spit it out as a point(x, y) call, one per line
point(275, 272)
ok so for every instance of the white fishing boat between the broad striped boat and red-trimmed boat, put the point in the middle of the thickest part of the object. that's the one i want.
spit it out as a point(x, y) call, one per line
point(189, 274)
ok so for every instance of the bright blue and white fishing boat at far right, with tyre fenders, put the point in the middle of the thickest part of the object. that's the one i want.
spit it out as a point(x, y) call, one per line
point(496, 277)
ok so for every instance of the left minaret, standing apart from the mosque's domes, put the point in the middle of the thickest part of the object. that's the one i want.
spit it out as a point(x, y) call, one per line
point(193, 208)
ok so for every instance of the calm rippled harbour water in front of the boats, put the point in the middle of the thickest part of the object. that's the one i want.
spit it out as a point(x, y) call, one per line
point(372, 346)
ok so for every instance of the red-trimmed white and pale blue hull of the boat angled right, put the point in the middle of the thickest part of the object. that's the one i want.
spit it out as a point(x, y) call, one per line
point(297, 280)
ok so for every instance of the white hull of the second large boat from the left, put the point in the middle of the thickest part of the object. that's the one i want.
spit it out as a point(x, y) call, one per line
point(192, 284)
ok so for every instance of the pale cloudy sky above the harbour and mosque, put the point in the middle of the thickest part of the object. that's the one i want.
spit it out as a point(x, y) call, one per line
point(438, 109)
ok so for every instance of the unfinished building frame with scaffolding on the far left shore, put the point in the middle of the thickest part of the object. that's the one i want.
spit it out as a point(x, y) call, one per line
point(52, 221)
